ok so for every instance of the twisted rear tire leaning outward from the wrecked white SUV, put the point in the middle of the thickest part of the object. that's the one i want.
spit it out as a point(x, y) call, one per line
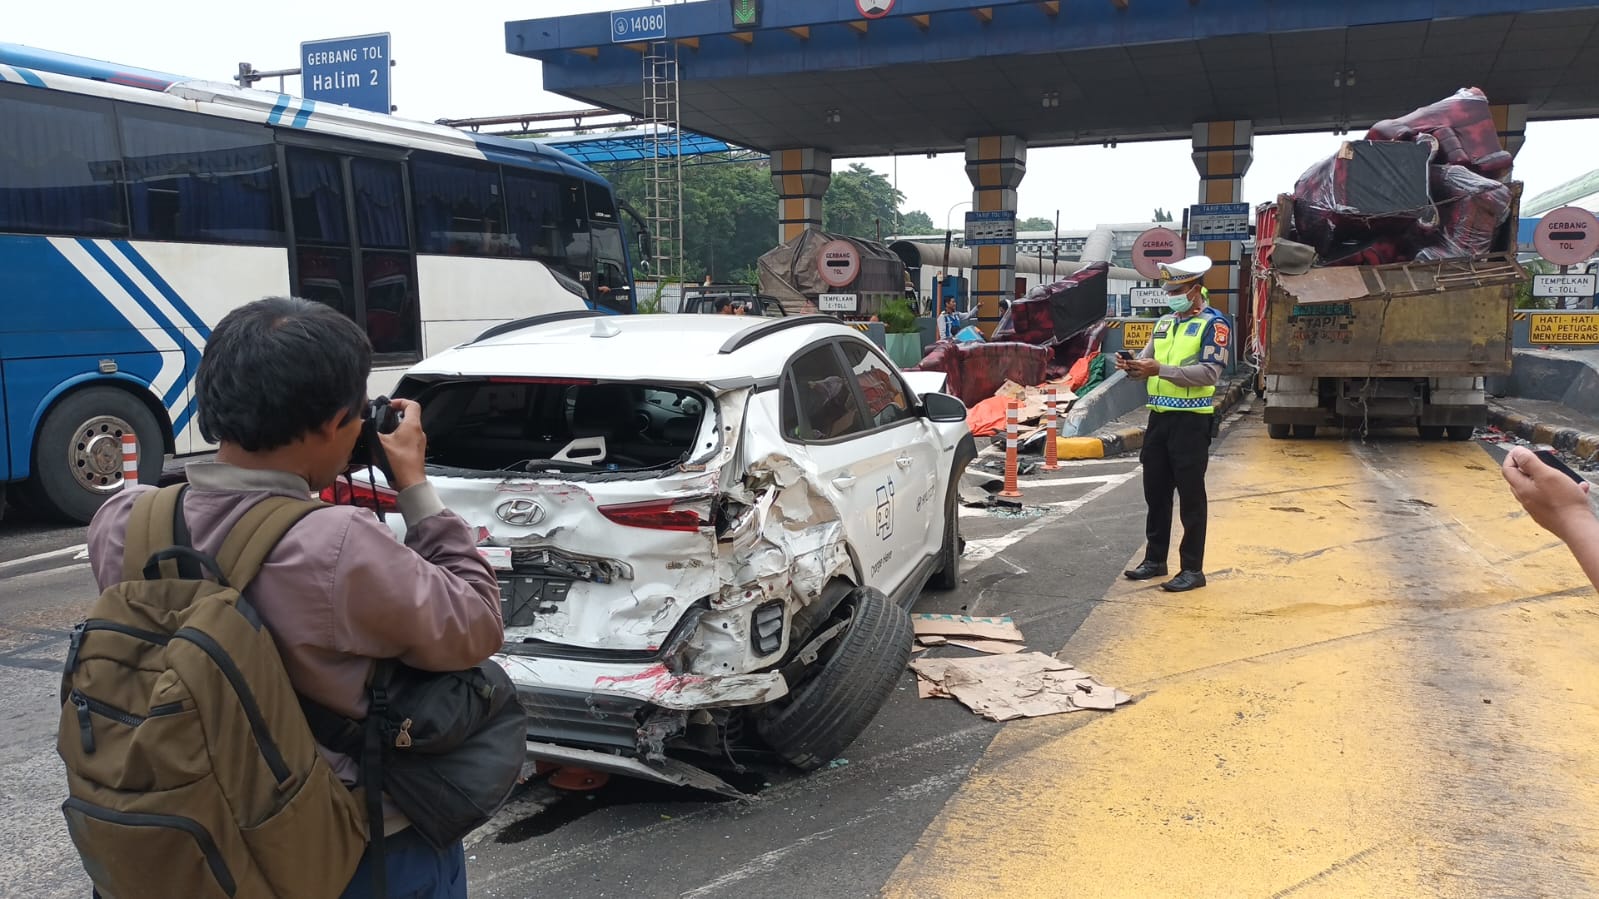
point(847, 685)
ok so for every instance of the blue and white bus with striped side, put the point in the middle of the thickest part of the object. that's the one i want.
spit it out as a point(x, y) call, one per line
point(138, 209)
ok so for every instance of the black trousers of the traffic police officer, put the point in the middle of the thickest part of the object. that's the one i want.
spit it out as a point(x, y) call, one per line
point(1176, 455)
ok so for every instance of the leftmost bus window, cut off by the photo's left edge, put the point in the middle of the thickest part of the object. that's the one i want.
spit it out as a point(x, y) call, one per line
point(58, 166)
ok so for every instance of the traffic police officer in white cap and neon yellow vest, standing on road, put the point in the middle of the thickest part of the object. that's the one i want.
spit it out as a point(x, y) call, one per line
point(1182, 364)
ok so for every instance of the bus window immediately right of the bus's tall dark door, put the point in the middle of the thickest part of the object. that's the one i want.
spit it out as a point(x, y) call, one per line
point(458, 207)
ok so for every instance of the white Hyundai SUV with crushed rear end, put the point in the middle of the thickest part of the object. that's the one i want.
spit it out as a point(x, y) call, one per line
point(708, 529)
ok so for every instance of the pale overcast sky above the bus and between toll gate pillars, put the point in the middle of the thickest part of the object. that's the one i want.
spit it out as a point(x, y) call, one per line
point(453, 65)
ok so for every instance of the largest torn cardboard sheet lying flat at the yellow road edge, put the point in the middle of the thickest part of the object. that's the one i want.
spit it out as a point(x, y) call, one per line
point(1010, 687)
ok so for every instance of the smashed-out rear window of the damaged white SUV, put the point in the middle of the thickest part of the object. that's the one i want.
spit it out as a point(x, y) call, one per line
point(530, 425)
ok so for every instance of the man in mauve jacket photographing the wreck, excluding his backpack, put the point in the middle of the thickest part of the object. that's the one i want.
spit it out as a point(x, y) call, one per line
point(282, 390)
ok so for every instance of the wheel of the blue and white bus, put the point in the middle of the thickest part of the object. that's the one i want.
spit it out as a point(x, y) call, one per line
point(78, 460)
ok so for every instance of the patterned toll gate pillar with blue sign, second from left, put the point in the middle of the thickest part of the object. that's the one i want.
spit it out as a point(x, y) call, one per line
point(995, 167)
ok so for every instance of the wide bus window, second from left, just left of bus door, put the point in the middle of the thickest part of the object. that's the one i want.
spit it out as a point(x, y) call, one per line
point(201, 180)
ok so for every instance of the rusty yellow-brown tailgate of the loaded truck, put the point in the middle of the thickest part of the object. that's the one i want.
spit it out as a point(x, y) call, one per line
point(1403, 321)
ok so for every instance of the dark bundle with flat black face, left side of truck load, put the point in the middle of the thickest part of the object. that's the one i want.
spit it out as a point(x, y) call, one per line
point(1365, 191)
